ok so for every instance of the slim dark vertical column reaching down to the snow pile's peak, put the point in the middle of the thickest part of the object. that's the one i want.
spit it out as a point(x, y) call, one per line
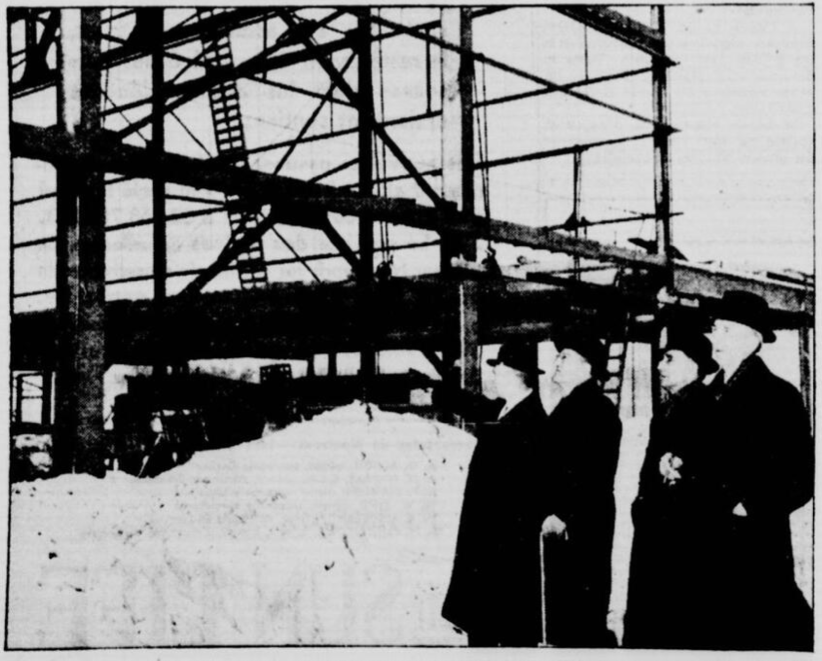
point(365, 277)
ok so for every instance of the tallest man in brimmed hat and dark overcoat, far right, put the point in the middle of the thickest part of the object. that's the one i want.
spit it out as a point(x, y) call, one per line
point(766, 458)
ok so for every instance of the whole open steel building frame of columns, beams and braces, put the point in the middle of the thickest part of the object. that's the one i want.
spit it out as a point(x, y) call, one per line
point(80, 143)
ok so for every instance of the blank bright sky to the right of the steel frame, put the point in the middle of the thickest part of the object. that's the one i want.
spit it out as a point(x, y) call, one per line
point(743, 164)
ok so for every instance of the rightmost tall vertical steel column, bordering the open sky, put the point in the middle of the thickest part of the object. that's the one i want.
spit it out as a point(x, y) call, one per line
point(662, 140)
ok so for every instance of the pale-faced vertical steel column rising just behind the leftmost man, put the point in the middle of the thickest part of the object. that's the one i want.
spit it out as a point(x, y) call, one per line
point(458, 184)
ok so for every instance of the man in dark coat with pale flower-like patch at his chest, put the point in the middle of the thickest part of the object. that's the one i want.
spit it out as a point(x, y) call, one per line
point(674, 570)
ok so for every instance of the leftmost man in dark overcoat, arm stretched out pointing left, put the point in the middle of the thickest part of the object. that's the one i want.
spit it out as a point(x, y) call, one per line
point(494, 592)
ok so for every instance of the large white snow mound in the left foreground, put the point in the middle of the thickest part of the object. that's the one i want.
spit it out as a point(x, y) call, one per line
point(336, 531)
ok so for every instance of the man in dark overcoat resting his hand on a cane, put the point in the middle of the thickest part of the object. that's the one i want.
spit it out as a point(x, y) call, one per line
point(580, 456)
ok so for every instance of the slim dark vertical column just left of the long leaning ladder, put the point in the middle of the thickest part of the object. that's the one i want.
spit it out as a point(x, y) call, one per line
point(154, 20)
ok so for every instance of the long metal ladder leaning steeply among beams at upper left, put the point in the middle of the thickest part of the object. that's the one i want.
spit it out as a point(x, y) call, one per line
point(224, 99)
